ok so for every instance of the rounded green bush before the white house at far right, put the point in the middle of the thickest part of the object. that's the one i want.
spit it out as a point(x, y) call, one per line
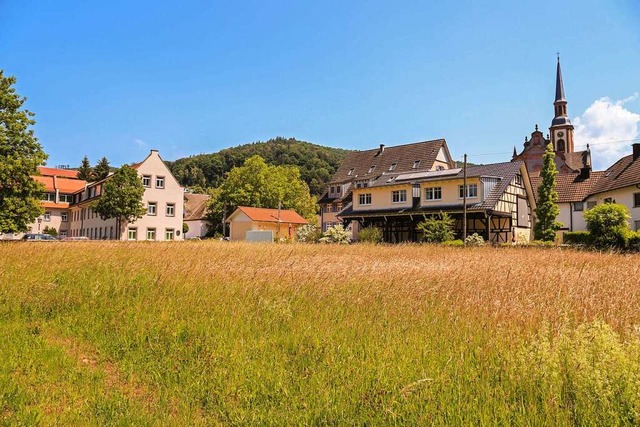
point(608, 225)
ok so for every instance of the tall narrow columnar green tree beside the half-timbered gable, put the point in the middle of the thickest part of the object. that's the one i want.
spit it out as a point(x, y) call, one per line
point(547, 211)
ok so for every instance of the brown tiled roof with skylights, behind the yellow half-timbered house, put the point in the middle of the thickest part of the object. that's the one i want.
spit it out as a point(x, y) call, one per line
point(402, 155)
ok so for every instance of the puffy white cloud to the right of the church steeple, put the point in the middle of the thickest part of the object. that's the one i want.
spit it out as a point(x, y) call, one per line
point(604, 122)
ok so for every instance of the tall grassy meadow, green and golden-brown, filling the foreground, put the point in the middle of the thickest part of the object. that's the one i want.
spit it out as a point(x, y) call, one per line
point(209, 333)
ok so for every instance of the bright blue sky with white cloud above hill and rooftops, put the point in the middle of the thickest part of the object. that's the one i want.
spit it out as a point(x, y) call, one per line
point(117, 78)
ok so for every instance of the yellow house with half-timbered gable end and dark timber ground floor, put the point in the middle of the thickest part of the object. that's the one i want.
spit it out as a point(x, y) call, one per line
point(499, 199)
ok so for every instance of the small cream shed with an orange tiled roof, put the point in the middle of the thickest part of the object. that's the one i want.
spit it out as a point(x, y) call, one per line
point(284, 223)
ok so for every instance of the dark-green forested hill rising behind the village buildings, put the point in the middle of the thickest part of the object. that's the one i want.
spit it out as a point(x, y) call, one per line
point(317, 163)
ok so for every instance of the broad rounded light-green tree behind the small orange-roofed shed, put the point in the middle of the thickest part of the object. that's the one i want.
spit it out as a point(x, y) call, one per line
point(261, 185)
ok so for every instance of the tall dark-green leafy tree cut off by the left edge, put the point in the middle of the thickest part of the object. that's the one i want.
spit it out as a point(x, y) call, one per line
point(20, 156)
